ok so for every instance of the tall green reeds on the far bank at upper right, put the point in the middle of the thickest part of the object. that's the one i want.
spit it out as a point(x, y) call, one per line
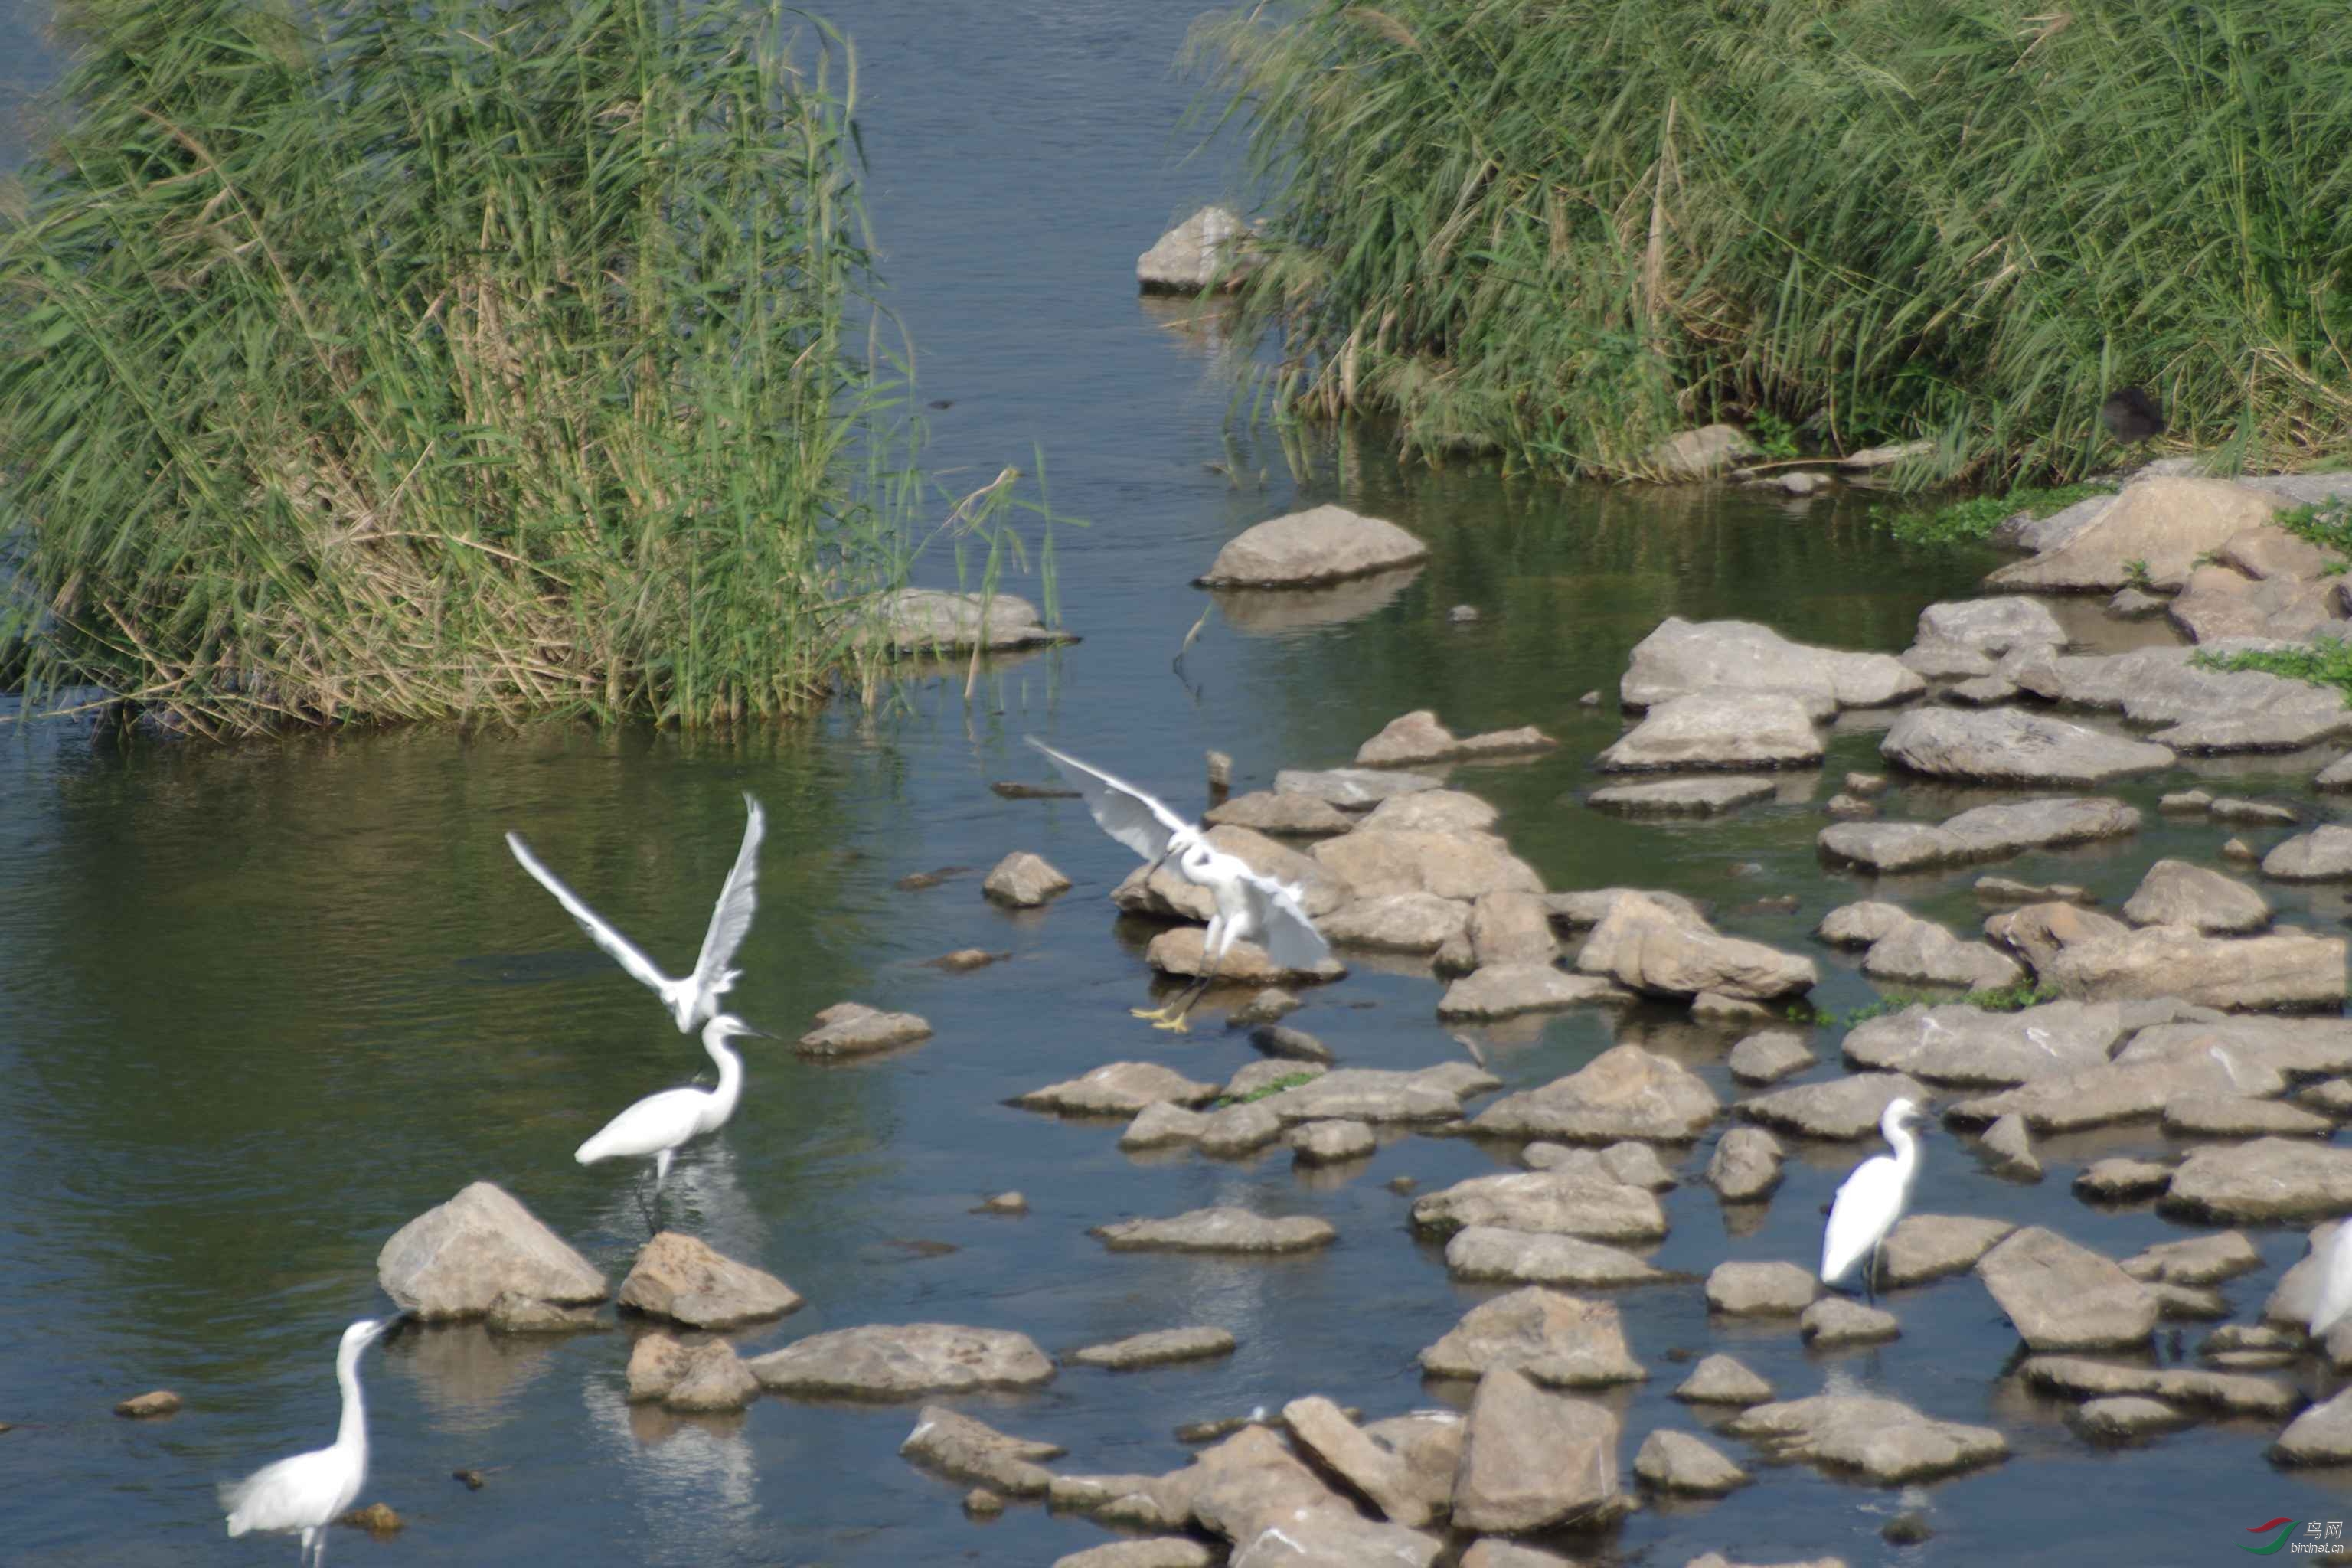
point(1575, 229)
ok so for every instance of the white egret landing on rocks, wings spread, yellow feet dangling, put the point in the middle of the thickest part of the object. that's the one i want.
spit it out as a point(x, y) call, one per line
point(1250, 906)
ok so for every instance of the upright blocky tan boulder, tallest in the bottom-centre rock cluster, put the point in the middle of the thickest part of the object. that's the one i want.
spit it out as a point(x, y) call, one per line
point(1535, 1459)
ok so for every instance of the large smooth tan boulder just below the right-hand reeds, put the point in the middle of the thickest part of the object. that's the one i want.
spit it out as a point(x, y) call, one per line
point(2156, 528)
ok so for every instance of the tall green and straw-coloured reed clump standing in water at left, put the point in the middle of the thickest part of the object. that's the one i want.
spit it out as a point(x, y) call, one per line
point(483, 359)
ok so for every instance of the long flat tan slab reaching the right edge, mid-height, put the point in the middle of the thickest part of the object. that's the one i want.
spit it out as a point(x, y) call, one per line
point(2292, 970)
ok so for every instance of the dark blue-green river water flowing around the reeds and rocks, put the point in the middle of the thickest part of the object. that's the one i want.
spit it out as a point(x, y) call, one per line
point(265, 1005)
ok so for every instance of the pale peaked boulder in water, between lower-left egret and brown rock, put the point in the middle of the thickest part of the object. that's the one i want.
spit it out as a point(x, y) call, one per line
point(455, 1261)
